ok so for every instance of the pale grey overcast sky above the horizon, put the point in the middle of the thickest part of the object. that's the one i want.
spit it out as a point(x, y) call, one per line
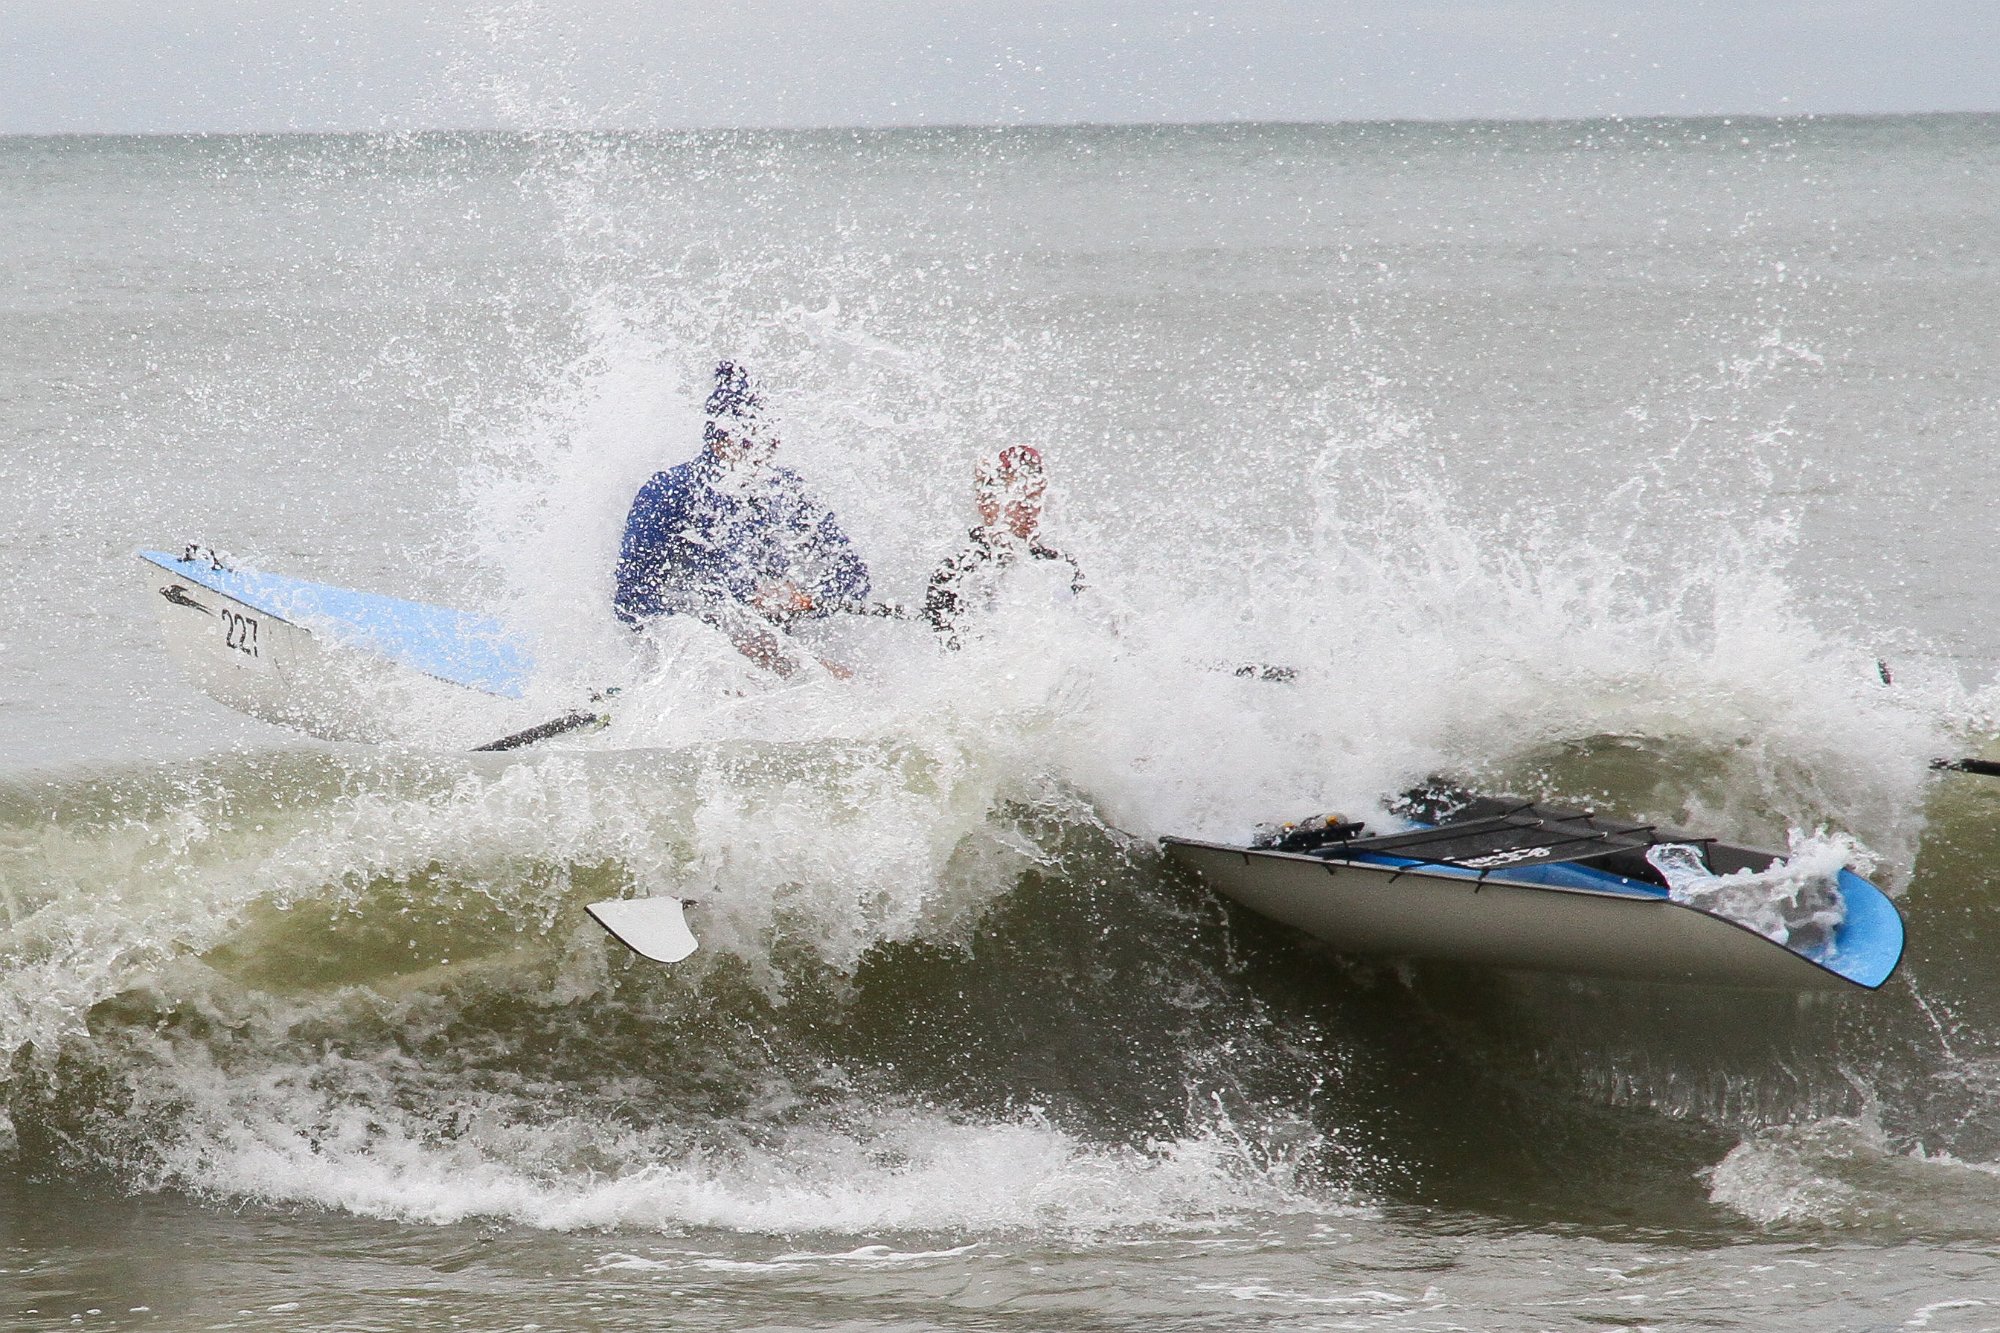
point(357, 65)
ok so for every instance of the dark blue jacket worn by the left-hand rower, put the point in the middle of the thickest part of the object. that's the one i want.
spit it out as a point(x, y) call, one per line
point(707, 535)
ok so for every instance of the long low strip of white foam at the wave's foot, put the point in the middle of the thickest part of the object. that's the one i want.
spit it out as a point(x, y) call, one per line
point(285, 1136)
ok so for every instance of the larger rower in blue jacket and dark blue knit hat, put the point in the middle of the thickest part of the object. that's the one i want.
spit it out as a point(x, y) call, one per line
point(735, 539)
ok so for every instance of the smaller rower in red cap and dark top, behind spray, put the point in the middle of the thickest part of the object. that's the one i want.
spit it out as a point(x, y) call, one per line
point(1009, 495)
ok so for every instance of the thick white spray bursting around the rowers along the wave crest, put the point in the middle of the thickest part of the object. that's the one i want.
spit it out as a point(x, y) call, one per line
point(1423, 635)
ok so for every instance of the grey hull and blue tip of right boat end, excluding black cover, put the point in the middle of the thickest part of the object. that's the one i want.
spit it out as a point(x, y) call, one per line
point(1589, 922)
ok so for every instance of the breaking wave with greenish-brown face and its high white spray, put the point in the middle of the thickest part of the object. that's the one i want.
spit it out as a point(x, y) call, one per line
point(945, 980)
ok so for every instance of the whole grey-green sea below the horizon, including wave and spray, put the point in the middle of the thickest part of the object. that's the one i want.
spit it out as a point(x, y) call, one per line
point(1603, 461)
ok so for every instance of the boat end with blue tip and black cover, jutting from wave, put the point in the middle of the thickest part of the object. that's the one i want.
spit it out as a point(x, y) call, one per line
point(1541, 888)
